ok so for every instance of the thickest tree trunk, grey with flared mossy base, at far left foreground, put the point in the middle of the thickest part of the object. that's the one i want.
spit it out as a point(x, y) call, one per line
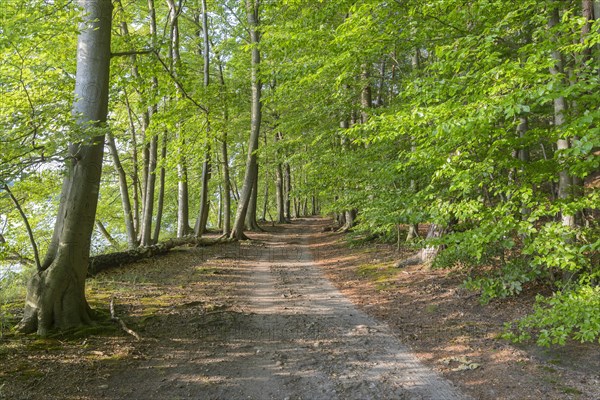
point(56, 295)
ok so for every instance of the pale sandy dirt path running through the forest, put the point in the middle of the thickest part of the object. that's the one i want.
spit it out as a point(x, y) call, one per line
point(286, 333)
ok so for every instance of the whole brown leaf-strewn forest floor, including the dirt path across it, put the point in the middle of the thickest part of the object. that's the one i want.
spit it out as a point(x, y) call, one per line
point(293, 314)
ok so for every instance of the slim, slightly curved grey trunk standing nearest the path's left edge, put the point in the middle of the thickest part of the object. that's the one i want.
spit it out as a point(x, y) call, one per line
point(250, 176)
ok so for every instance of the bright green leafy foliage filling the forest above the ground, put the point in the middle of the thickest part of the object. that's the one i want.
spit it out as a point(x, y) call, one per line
point(408, 112)
